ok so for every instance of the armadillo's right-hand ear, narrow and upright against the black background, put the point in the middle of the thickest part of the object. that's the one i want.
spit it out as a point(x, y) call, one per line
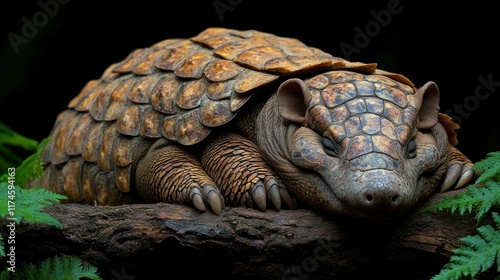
point(428, 98)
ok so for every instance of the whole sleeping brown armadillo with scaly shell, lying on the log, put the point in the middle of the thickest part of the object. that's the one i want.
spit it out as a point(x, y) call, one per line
point(199, 121)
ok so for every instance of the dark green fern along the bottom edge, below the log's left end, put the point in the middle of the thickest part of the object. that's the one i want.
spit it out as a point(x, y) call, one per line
point(58, 268)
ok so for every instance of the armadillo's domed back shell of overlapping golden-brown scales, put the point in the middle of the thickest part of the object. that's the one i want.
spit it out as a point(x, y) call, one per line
point(178, 89)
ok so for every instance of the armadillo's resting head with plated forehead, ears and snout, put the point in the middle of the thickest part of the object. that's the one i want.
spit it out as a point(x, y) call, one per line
point(369, 146)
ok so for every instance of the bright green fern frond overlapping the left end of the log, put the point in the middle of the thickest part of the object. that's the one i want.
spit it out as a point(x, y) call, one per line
point(29, 204)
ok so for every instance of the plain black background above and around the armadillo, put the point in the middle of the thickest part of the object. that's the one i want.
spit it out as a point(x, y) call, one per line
point(451, 45)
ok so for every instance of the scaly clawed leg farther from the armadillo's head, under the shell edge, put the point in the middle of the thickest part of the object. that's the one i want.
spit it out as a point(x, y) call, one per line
point(169, 174)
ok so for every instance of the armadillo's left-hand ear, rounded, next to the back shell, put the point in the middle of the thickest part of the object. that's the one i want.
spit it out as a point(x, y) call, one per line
point(293, 99)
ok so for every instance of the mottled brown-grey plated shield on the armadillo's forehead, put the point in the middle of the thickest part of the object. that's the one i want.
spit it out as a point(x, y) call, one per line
point(363, 113)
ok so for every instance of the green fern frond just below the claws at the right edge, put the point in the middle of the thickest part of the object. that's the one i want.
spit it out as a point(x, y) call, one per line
point(477, 199)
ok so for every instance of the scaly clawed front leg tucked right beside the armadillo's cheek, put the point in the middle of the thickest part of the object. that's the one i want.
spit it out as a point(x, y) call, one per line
point(241, 174)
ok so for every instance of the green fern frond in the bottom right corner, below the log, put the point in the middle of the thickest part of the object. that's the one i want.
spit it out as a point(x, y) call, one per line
point(478, 254)
